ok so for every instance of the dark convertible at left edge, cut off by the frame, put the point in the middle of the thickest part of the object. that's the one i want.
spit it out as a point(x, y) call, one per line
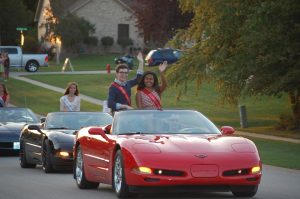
point(12, 120)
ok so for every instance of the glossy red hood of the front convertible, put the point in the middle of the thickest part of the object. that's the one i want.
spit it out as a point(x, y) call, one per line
point(189, 143)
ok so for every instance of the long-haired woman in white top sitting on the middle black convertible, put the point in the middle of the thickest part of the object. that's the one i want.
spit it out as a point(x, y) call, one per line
point(71, 100)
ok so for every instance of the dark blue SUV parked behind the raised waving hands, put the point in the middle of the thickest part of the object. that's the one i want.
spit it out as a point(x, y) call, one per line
point(158, 56)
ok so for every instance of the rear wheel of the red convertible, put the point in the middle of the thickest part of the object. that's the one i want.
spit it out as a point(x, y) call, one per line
point(81, 181)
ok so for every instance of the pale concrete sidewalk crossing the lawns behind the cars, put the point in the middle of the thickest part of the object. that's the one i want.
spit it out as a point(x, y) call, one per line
point(17, 75)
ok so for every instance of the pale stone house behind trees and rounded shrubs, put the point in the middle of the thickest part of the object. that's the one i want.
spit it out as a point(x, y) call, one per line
point(111, 18)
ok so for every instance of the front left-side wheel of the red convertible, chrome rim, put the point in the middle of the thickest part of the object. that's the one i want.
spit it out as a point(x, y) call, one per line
point(119, 183)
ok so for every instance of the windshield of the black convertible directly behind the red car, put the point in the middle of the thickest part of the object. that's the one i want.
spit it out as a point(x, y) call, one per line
point(76, 120)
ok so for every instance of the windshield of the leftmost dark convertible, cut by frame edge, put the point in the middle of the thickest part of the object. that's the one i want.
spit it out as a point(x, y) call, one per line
point(17, 115)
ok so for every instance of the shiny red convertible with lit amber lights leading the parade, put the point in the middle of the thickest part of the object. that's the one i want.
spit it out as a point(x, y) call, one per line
point(153, 150)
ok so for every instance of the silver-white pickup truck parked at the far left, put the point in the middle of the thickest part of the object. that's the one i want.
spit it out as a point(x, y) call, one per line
point(31, 62)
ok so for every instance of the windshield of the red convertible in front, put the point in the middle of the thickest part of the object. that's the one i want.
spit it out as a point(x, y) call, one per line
point(163, 122)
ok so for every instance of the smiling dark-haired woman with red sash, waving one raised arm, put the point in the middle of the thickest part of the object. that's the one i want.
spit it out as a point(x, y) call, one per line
point(149, 90)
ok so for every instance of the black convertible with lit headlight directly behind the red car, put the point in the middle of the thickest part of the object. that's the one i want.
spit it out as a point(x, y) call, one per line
point(51, 143)
